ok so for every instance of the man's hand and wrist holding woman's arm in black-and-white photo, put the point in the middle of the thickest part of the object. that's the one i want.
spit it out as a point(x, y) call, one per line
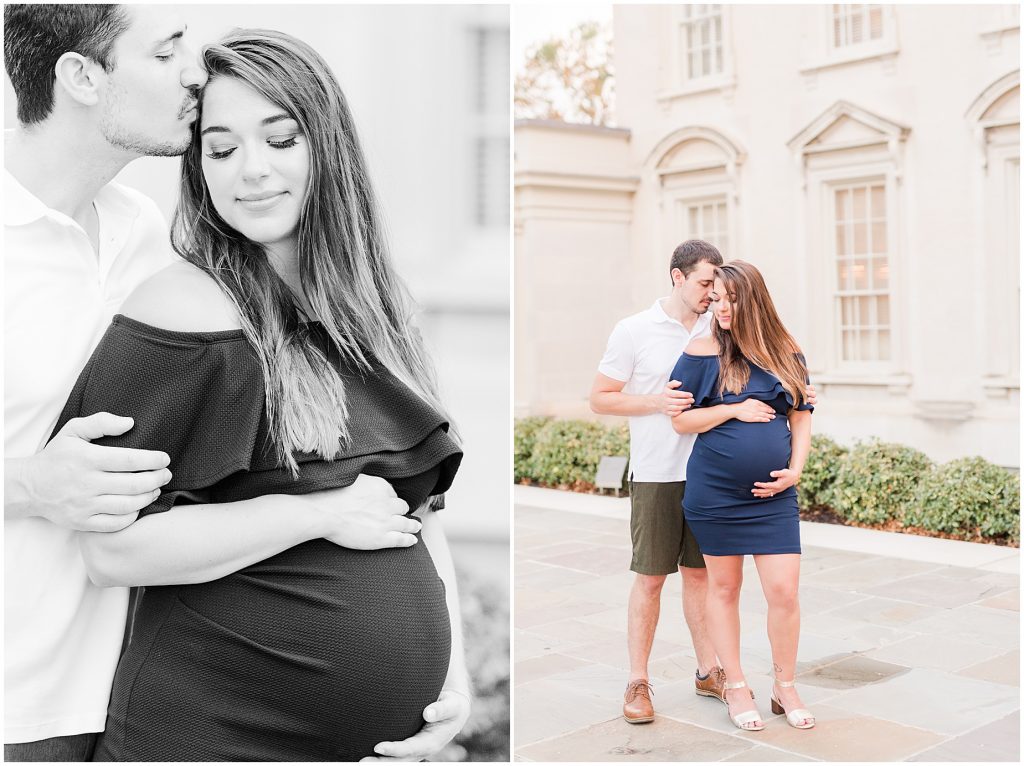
point(81, 486)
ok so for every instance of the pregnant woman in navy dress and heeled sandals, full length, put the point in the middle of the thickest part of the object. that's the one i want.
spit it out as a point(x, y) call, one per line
point(754, 423)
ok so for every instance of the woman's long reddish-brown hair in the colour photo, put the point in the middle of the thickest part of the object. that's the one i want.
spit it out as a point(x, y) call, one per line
point(756, 335)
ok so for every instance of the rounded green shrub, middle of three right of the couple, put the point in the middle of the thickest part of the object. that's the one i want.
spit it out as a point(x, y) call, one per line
point(876, 482)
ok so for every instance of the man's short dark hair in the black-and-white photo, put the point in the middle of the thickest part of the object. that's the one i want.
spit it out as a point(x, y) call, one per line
point(36, 36)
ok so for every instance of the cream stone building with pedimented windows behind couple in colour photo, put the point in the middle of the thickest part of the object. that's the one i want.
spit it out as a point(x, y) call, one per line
point(867, 158)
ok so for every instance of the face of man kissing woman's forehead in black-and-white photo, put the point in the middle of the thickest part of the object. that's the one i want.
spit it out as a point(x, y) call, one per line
point(149, 100)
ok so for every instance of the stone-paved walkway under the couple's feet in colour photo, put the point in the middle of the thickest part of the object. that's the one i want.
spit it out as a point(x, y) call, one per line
point(910, 650)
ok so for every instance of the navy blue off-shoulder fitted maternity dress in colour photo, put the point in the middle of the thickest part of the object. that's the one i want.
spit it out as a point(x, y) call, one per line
point(727, 461)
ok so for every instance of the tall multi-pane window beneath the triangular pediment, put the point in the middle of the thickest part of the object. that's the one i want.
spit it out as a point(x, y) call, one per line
point(863, 290)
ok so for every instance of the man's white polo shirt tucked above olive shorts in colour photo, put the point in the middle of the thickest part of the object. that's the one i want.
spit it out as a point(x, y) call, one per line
point(643, 351)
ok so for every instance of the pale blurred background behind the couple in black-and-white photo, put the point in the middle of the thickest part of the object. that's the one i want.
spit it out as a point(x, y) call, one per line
point(430, 90)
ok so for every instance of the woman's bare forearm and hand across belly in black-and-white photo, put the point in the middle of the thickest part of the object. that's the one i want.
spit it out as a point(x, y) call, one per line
point(200, 543)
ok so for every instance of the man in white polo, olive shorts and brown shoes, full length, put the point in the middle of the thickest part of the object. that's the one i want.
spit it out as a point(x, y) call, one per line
point(632, 380)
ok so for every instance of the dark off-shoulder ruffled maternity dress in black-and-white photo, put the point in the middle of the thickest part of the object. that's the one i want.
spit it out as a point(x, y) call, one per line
point(317, 654)
